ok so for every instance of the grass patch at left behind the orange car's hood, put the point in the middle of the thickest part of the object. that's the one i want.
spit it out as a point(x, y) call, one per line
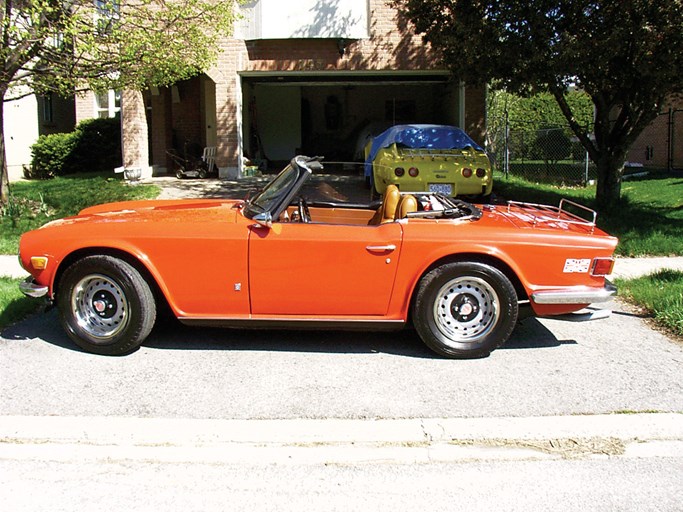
point(33, 203)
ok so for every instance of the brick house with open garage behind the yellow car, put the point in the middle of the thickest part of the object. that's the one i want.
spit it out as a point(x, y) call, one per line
point(303, 76)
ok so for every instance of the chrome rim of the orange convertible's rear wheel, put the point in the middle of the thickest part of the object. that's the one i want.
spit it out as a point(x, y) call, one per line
point(466, 309)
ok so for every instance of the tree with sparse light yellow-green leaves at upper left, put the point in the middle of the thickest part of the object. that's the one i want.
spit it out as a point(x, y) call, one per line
point(63, 46)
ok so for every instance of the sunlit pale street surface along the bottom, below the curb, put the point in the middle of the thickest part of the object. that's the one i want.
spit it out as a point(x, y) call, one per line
point(641, 485)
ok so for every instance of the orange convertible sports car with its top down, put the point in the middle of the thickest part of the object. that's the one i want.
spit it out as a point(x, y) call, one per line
point(460, 273)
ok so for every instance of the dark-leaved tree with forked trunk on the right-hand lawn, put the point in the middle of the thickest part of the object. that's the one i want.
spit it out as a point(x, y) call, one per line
point(627, 55)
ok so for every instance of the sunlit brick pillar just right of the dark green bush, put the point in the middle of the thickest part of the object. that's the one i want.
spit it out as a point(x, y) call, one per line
point(134, 138)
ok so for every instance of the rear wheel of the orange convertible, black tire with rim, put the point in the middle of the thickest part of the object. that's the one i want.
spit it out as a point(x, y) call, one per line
point(465, 310)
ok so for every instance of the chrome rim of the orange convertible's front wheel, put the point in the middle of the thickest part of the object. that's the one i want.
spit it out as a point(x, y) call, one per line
point(100, 307)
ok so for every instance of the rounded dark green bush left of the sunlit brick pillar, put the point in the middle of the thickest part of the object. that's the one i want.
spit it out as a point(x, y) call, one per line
point(94, 146)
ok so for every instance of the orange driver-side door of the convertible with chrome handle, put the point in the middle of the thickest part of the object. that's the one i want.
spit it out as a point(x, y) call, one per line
point(322, 269)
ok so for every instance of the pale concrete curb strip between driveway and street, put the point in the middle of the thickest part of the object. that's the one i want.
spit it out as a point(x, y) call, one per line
point(339, 441)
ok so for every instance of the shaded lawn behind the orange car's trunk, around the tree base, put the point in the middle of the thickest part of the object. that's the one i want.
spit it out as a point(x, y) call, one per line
point(648, 223)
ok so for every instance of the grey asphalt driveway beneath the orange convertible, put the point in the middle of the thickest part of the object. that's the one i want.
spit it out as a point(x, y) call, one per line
point(548, 367)
